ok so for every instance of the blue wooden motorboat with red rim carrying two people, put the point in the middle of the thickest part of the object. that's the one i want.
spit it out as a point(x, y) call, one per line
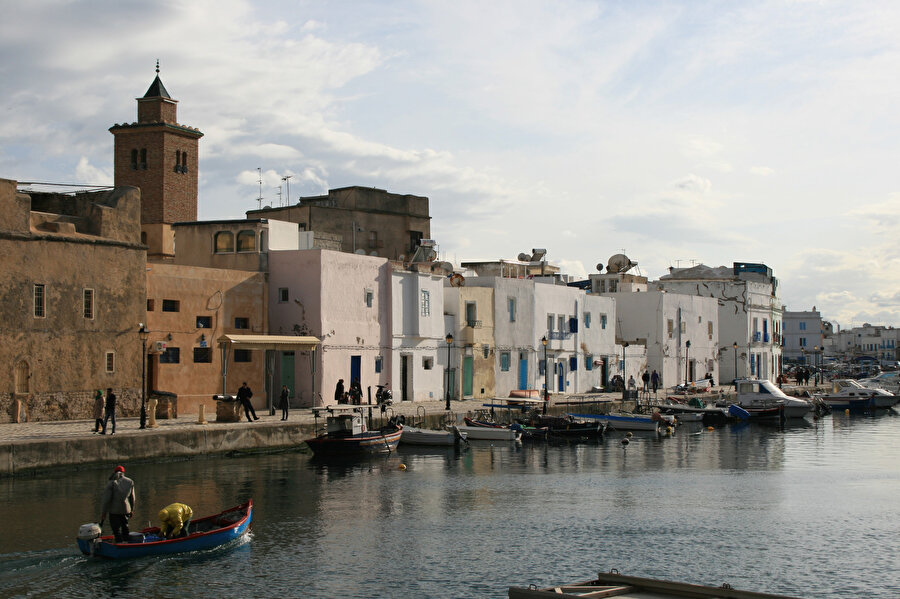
point(205, 533)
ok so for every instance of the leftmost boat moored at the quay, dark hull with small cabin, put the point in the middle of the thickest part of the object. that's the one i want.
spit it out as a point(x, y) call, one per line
point(346, 433)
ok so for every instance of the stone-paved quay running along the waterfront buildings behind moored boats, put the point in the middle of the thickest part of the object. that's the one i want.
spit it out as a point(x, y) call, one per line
point(31, 447)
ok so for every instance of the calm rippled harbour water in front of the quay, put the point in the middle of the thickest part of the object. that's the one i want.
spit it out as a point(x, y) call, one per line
point(810, 511)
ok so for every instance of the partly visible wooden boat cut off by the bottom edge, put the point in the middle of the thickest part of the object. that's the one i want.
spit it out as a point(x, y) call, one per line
point(614, 584)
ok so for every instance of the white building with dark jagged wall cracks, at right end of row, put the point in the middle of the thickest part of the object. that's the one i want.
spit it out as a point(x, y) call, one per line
point(750, 314)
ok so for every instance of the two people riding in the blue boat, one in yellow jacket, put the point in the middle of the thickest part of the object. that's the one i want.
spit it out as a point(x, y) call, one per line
point(118, 504)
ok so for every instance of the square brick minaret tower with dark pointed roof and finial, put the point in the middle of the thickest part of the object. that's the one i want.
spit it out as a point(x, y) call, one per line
point(159, 156)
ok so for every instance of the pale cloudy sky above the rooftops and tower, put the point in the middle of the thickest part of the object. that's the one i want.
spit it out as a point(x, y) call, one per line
point(676, 132)
